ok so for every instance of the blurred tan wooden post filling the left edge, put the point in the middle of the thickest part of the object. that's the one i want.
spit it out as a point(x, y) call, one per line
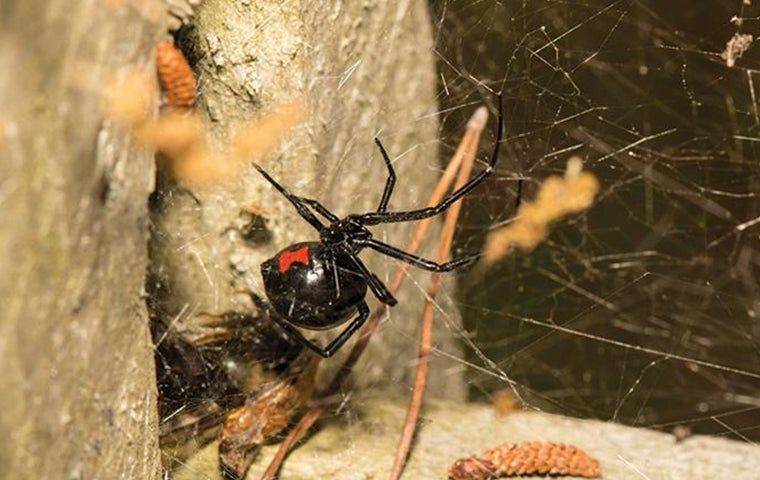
point(77, 387)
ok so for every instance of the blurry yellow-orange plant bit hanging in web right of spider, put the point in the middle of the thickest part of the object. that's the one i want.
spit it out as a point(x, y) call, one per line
point(557, 197)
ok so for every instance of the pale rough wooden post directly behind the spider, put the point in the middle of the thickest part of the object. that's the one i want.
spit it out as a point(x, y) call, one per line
point(361, 68)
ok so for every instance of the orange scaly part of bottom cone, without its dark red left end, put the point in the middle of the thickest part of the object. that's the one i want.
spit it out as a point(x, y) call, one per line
point(542, 458)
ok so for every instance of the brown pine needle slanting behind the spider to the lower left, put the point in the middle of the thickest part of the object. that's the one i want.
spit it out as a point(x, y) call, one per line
point(474, 130)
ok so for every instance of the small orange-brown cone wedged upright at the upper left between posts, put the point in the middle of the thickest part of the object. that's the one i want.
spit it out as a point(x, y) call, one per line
point(175, 76)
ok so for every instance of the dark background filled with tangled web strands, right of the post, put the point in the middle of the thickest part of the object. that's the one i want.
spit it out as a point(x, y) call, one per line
point(644, 309)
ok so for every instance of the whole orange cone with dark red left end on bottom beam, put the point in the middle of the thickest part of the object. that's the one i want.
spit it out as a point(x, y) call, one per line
point(528, 458)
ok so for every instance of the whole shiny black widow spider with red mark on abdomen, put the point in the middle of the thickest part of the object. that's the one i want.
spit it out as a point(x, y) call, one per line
point(320, 285)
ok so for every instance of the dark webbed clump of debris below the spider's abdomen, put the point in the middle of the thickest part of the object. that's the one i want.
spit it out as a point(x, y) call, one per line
point(207, 369)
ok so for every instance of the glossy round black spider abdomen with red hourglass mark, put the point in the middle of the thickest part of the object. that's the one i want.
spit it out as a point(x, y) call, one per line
point(303, 286)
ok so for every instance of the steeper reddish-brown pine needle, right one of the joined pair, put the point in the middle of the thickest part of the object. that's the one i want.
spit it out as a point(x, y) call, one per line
point(444, 250)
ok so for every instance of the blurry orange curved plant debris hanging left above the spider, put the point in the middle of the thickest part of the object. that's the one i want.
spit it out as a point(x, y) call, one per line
point(180, 138)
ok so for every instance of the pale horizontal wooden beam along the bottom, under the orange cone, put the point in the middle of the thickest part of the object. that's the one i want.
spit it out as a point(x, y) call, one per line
point(363, 446)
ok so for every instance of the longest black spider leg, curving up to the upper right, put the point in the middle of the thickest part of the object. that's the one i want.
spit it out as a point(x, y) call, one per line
point(374, 218)
